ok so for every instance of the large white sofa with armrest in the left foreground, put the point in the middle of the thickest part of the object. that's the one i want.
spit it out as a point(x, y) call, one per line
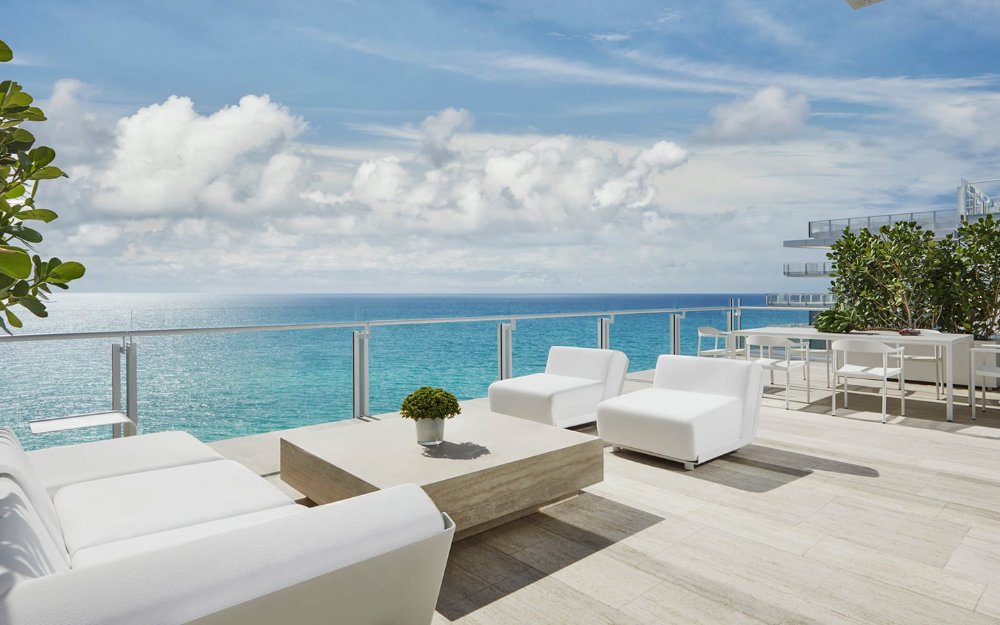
point(161, 530)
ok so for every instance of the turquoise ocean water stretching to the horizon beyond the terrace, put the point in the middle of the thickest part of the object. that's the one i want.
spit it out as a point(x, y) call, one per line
point(225, 385)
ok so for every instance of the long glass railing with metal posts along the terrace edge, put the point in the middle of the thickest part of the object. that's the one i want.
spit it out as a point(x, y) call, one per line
point(225, 382)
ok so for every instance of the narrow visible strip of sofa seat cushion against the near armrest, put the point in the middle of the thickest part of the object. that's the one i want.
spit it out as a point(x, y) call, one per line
point(129, 547)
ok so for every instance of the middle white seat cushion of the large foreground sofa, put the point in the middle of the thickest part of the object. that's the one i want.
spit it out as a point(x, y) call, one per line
point(126, 506)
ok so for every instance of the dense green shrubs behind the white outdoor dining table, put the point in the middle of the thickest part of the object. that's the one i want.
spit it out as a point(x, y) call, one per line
point(902, 277)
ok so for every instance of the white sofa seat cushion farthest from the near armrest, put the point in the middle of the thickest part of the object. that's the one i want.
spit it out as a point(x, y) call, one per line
point(60, 466)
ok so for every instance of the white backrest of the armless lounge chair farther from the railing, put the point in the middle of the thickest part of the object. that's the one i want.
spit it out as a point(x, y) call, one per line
point(715, 376)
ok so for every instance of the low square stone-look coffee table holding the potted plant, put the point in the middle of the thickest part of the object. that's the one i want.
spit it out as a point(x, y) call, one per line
point(490, 470)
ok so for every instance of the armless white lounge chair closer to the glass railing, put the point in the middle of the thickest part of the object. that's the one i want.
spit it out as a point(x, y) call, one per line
point(576, 379)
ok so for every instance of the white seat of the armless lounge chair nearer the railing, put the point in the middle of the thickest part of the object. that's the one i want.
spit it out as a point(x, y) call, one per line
point(547, 398)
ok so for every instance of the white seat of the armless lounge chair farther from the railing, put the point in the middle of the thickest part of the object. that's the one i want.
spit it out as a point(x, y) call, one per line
point(677, 424)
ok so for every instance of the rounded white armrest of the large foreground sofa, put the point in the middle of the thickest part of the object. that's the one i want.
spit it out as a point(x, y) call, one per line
point(184, 583)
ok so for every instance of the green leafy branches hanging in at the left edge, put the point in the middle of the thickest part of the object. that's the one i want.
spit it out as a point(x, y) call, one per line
point(25, 279)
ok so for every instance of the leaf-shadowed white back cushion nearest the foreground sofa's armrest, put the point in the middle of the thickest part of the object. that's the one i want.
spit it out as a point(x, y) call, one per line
point(26, 547)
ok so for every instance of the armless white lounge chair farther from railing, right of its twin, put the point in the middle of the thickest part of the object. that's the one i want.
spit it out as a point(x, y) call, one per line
point(696, 410)
